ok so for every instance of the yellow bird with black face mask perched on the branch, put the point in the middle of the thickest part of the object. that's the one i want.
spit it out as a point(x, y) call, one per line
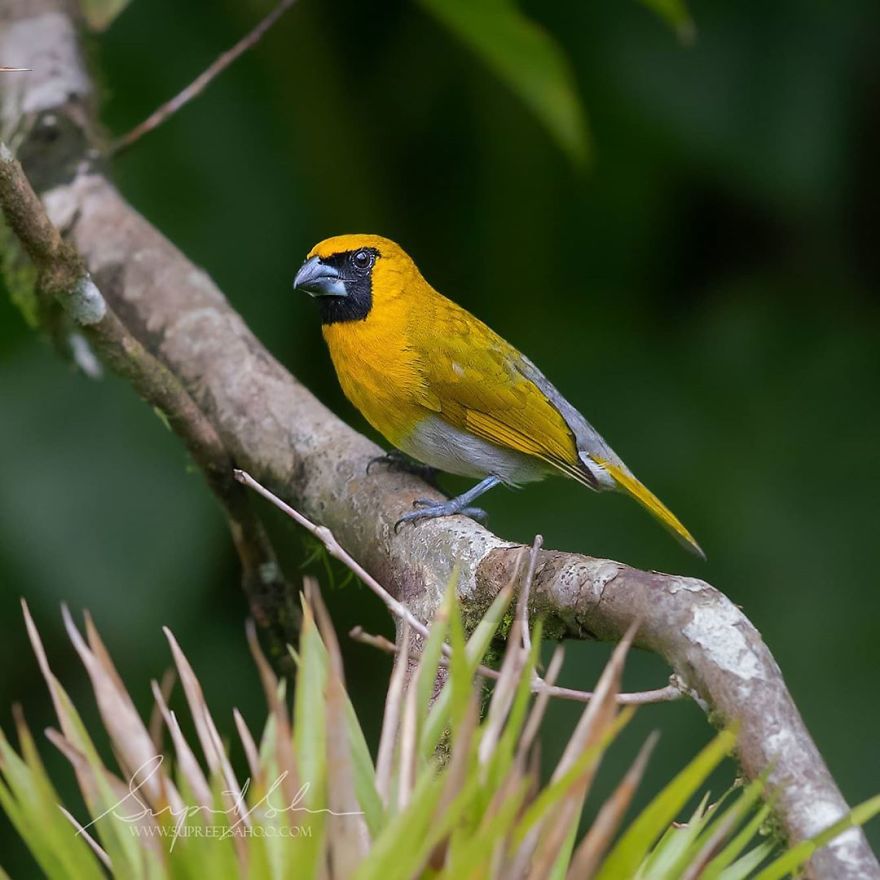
point(447, 390)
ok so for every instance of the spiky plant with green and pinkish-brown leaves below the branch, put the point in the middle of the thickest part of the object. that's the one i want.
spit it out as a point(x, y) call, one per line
point(454, 792)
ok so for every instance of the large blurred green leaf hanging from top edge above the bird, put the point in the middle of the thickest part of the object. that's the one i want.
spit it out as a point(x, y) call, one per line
point(527, 59)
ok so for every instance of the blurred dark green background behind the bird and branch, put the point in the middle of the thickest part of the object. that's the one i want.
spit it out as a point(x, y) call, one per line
point(706, 292)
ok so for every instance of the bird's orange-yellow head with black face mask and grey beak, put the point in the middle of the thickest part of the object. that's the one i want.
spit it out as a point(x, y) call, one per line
point(350, 275)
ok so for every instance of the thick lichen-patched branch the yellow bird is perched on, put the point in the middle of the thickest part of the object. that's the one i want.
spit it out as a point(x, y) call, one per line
point(273, 427)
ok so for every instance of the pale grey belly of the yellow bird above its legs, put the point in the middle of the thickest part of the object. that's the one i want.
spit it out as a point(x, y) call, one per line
point(440, 445)
